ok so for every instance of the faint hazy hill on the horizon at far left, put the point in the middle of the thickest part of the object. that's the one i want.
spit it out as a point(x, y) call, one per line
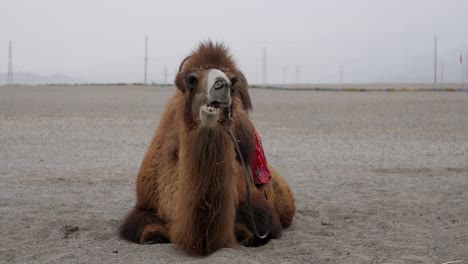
point(26, 78)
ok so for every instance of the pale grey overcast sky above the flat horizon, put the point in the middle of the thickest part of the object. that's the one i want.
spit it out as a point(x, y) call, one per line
point(103, 40)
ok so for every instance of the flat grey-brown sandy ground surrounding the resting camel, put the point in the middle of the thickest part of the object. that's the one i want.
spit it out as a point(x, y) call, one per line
point(378, 177)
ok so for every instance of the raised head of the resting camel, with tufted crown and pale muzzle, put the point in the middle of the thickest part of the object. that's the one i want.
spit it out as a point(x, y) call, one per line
point(210, 82)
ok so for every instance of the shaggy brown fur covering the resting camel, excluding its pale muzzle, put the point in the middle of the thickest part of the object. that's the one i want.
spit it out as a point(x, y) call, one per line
point(190, 188)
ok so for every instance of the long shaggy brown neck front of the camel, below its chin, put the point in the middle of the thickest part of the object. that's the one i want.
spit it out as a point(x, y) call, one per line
point(207, 195)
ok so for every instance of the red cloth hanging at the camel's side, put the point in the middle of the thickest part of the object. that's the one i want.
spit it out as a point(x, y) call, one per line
point(260, 172)
